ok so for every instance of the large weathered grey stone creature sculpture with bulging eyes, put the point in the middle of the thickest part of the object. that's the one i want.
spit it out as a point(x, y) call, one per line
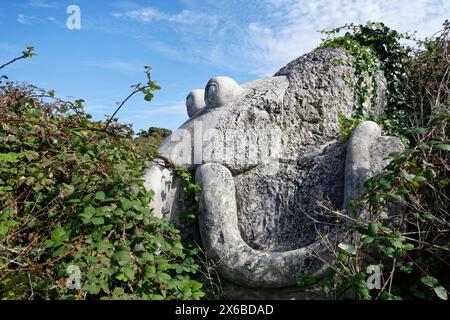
point(266, 154)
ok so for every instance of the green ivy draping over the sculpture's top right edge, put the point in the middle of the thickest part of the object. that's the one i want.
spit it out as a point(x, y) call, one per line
point(375, 48)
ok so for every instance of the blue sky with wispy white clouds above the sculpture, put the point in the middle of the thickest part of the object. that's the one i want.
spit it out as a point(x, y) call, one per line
point(185, 41)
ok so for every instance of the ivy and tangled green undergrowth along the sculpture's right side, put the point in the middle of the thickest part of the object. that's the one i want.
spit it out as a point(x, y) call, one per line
point(410, 245)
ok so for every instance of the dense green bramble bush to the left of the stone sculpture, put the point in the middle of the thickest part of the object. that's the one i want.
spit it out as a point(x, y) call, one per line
point(71, 195)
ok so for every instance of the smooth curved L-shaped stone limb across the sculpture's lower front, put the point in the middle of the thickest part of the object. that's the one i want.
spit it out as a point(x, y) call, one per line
point(235, 259)
